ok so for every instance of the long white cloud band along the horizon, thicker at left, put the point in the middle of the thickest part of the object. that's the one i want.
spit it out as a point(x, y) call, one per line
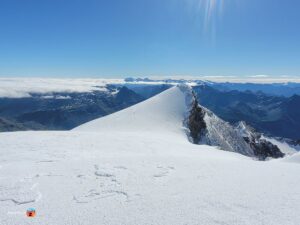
point(23, 87)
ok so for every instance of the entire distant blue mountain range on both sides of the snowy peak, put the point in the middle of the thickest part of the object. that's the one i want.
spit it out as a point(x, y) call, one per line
point(274, 115)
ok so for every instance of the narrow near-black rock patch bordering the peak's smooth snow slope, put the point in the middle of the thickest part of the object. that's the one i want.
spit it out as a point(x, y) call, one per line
point(196, 121)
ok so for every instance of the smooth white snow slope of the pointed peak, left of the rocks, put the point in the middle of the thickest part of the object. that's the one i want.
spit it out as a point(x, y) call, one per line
point(162, 113)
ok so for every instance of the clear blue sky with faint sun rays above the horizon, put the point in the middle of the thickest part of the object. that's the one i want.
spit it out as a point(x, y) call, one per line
point(114, 38)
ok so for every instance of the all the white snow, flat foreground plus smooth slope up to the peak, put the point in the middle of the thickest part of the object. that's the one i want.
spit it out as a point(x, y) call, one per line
point(136, 167)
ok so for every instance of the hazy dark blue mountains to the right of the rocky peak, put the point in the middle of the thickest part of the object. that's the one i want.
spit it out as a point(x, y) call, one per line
point(273, 115)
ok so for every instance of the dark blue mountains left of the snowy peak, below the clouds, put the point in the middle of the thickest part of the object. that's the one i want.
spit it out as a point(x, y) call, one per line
point(63, 111)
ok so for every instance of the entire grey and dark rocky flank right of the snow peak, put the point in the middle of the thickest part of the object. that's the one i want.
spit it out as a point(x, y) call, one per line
point(206, 128)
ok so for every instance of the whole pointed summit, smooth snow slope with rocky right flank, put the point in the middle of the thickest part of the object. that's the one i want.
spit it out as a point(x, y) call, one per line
point(177, 113)
